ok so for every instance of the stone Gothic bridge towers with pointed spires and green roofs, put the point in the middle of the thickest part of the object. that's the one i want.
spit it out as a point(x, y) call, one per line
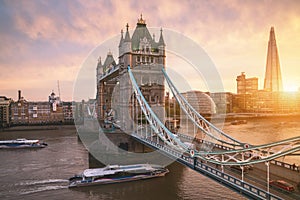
point(146, 57)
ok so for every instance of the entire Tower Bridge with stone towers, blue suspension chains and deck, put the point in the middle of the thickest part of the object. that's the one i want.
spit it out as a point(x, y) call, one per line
point(134, 91)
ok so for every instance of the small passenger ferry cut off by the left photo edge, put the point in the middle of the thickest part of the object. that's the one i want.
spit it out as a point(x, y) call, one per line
point(22, 143)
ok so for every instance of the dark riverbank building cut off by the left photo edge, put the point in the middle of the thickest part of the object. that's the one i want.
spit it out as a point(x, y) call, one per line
point(5, 113)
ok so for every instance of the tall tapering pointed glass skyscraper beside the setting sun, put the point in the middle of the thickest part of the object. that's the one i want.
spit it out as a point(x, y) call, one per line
point(273, 81)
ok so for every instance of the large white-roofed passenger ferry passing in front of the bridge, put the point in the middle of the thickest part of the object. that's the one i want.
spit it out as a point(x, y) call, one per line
point(117, 174)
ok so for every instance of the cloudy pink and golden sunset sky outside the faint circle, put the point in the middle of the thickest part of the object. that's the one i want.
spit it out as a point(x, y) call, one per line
point(42, 42)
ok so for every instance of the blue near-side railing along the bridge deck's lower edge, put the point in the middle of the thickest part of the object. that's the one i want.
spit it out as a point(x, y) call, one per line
point(231, 181)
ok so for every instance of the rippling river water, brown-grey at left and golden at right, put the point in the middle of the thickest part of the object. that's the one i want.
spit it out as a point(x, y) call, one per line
point(43, 173)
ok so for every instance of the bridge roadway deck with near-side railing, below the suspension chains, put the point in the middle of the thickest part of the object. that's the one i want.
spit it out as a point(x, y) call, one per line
point(254, 185)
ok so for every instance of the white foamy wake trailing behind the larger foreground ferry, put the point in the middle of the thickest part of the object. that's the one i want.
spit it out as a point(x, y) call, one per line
point(35, 186)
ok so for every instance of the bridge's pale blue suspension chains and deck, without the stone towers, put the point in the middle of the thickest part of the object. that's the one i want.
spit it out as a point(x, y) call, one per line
point(223, 153)
